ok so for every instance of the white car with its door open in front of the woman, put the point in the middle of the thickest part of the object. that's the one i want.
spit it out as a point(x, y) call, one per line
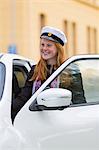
point(53, 118)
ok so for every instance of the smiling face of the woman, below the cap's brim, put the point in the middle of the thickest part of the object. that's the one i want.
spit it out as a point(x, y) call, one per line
point(48, 51)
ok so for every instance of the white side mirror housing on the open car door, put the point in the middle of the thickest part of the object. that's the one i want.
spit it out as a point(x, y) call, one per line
point(54, 97)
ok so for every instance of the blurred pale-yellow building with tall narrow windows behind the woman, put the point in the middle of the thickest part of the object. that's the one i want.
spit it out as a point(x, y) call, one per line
point(22, 20)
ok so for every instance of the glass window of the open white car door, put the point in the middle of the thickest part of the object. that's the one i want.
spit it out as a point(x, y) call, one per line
point(82, 79)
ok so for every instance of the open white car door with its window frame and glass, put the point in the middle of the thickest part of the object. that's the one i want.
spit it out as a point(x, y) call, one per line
point(74, 127)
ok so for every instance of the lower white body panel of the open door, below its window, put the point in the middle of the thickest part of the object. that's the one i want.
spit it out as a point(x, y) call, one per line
point(51, 130)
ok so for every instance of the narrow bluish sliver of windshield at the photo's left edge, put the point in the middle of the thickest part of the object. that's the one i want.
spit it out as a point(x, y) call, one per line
point(2, 78)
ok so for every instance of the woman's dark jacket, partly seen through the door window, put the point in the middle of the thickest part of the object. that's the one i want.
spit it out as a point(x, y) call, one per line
point(76, 88)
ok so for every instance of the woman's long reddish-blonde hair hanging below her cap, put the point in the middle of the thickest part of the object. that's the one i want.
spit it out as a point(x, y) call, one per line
point(40, 71)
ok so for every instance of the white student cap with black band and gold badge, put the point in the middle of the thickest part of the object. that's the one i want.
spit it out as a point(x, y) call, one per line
point(53, 34)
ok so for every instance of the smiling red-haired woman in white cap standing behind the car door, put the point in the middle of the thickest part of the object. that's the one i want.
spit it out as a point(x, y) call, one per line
point(52, 41)
